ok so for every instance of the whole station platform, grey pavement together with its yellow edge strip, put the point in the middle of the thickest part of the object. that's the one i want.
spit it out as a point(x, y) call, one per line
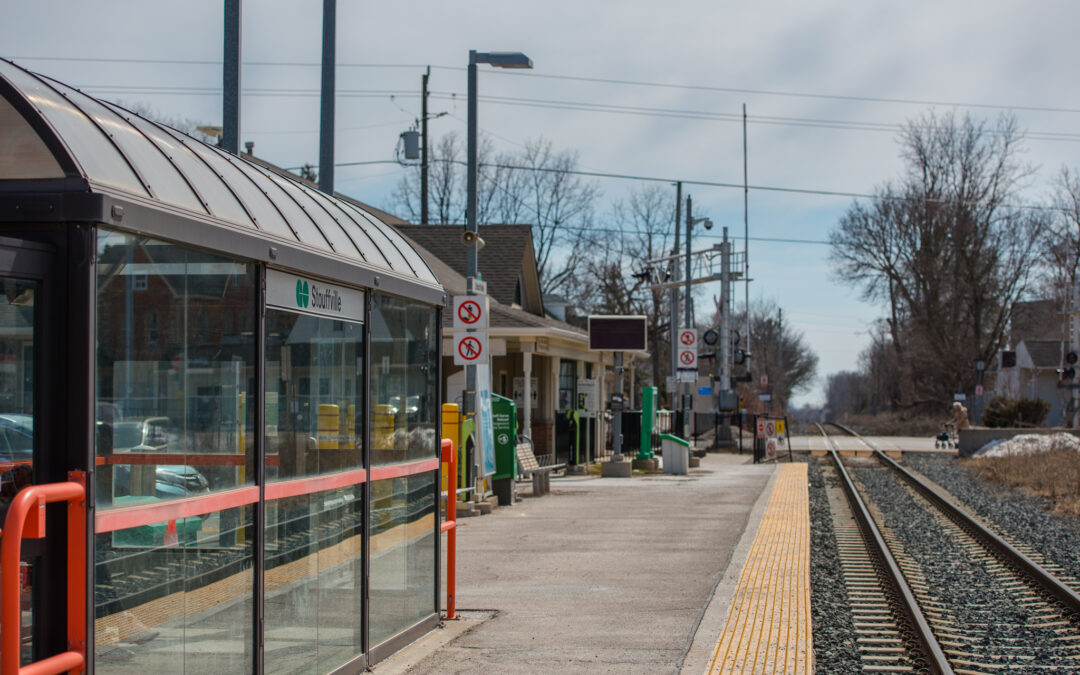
point(707, 573)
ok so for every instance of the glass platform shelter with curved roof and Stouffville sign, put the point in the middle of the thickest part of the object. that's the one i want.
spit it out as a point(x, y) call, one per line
point(202, 343)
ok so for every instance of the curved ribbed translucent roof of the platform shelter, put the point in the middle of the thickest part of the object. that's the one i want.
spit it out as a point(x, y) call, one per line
point(118, 153)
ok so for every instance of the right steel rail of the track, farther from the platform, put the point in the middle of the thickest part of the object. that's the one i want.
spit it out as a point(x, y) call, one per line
point(1051, 585)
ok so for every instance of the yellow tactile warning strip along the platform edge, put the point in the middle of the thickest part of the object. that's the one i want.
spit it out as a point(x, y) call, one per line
point(768, 628)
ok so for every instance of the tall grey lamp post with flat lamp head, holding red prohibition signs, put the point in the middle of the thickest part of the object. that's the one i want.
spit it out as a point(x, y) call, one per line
point(498, 60)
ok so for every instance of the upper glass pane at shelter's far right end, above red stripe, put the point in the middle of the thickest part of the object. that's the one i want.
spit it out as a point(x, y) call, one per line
point(404, 393)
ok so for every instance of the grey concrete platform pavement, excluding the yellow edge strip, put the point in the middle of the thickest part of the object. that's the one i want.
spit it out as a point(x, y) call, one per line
point(602, 575)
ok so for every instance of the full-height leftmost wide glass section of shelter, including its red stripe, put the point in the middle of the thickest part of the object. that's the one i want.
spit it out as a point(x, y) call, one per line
point(175, 380)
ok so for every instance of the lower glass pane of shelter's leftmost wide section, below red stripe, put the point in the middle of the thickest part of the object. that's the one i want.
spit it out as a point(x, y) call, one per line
point(173, 598)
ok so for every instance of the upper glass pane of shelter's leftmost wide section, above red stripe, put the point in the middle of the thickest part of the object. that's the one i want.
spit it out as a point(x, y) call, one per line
point(175, 371)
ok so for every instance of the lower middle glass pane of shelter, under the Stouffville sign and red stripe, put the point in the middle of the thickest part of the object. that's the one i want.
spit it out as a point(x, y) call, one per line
point(315, 582)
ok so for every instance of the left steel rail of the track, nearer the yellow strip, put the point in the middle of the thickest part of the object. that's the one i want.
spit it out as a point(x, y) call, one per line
point(931, 649)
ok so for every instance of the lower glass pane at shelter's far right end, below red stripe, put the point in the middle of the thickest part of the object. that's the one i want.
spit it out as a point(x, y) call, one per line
point(403, 553)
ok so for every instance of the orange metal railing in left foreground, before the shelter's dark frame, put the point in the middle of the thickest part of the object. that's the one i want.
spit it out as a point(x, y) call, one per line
point(26, 520)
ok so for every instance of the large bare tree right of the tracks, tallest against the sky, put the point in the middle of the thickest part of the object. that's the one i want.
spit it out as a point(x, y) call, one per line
point(946, 249)
